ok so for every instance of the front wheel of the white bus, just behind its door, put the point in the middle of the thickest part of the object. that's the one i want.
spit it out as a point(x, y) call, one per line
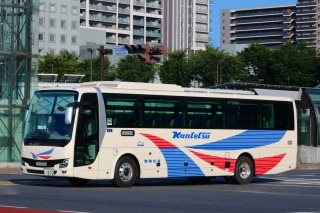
point(126, 172)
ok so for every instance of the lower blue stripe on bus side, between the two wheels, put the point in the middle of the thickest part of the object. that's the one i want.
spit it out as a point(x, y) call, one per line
point(176, 160)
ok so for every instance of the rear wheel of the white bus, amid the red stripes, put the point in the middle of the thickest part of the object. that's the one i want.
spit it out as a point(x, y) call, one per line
point(244, 170)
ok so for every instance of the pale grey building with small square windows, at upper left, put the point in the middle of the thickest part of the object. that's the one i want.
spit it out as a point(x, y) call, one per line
point(58, 26)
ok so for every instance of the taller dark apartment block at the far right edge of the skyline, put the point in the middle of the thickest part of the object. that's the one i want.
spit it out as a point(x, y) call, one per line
point(307, 22)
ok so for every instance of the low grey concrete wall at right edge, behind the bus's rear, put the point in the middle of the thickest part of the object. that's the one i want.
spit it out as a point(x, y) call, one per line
point(308, 154)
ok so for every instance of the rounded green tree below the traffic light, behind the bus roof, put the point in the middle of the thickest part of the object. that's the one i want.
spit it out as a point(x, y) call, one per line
point(132, 69)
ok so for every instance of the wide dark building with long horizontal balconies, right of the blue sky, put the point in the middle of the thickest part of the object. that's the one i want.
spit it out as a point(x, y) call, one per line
point(270, 26)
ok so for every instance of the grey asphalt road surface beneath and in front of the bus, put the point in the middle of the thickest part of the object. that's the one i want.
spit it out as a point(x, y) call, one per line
point(292, 192)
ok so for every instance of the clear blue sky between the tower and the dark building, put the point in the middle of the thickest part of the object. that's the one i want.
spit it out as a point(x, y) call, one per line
point(238, 4)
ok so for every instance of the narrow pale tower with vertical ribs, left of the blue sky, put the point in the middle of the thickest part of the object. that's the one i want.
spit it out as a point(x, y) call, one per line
point(187, 24)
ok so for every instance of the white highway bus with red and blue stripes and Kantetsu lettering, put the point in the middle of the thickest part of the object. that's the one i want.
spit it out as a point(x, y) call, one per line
point(122, 131)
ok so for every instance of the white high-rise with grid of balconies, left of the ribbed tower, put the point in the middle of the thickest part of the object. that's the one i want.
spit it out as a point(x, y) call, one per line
point(122, 21)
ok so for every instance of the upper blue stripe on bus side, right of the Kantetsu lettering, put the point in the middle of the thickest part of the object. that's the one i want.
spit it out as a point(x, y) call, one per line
point(246, 140)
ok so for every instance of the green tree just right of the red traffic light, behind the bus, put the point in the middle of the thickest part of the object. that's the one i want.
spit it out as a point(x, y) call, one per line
point(174, 70)
